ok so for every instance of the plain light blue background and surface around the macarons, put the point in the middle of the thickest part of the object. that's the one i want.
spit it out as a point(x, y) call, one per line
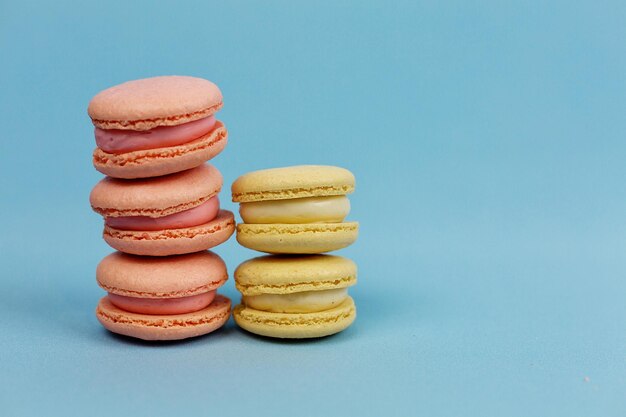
point(488, 142)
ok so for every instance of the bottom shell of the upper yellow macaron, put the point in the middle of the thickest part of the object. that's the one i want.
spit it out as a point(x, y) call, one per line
point(297, 238)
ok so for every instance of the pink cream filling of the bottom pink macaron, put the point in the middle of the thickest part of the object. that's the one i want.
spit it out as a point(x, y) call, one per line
point(160, 306)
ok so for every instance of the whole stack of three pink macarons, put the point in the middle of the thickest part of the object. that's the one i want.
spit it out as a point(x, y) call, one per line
point(160, 207)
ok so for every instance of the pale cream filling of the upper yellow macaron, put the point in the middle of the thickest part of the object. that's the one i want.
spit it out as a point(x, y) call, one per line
point(331, 209)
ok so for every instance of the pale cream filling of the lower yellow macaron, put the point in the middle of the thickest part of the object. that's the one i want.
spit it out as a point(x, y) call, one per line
point(299, 302)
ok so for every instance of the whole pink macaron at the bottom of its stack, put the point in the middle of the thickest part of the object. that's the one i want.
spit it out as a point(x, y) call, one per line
point(147, 298)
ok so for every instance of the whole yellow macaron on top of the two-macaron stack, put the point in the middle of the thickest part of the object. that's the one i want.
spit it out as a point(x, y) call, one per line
point(298, 209)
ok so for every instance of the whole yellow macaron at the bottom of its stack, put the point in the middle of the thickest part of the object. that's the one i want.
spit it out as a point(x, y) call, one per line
point(295, 296)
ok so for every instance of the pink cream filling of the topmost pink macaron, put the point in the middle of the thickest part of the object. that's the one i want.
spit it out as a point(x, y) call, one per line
point(122, 141)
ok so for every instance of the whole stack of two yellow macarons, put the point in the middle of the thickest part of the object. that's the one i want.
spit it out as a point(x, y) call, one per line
point(295, 214)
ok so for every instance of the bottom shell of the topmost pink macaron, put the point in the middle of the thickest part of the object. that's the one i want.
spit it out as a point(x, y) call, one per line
point(162, 161)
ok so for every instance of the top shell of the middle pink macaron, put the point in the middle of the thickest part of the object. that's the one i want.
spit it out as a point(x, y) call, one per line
point(156, 197)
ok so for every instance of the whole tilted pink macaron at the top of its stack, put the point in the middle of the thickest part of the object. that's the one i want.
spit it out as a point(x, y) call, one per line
point(156, 126)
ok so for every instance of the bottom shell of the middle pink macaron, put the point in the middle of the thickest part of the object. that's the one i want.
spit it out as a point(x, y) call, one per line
point(173, 241)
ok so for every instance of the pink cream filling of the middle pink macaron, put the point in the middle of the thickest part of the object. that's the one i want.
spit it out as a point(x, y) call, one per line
point(202, 214)
